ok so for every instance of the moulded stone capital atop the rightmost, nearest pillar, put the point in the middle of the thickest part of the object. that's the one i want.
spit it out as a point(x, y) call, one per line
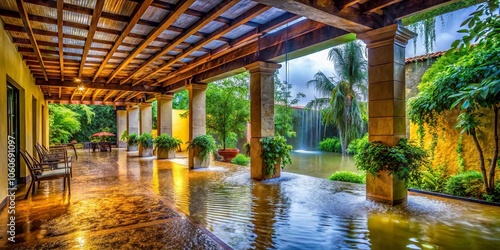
point(392, 34)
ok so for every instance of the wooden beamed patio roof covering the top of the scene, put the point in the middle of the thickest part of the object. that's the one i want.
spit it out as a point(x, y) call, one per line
point(120, 52)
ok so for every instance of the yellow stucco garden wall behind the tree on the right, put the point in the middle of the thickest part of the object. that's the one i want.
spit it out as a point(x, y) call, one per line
point(446, 149)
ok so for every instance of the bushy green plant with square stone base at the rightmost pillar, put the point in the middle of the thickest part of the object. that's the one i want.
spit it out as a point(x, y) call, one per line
point(389, 169)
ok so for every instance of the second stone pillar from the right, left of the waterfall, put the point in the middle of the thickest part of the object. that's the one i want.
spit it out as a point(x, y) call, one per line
point(261, 113)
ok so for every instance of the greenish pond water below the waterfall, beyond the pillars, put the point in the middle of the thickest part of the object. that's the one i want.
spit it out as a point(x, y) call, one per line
point(319, 164)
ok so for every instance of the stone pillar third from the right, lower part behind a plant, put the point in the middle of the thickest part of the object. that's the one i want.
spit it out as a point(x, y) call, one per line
point(197, 115)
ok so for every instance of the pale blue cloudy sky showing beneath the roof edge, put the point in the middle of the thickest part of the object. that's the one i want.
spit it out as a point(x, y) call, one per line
point(302, 69)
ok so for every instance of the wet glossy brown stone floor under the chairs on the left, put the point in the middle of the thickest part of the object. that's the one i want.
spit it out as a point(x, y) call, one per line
point(106, 210)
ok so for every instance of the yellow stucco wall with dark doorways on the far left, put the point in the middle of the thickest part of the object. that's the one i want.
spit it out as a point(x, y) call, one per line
point(15, 71)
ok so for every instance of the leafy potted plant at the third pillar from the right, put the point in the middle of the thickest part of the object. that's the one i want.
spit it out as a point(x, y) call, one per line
point(201, 147)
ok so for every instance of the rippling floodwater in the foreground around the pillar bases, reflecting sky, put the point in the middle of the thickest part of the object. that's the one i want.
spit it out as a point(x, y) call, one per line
point(302, 212)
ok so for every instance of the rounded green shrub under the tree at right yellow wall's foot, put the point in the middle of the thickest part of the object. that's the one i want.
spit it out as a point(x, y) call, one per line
point(465, 184)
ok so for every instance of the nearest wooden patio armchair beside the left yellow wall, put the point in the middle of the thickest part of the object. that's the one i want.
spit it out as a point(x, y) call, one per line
point(39, 173)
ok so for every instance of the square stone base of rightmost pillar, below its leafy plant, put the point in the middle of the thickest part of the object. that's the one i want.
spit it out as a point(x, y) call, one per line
point(385, 188)
